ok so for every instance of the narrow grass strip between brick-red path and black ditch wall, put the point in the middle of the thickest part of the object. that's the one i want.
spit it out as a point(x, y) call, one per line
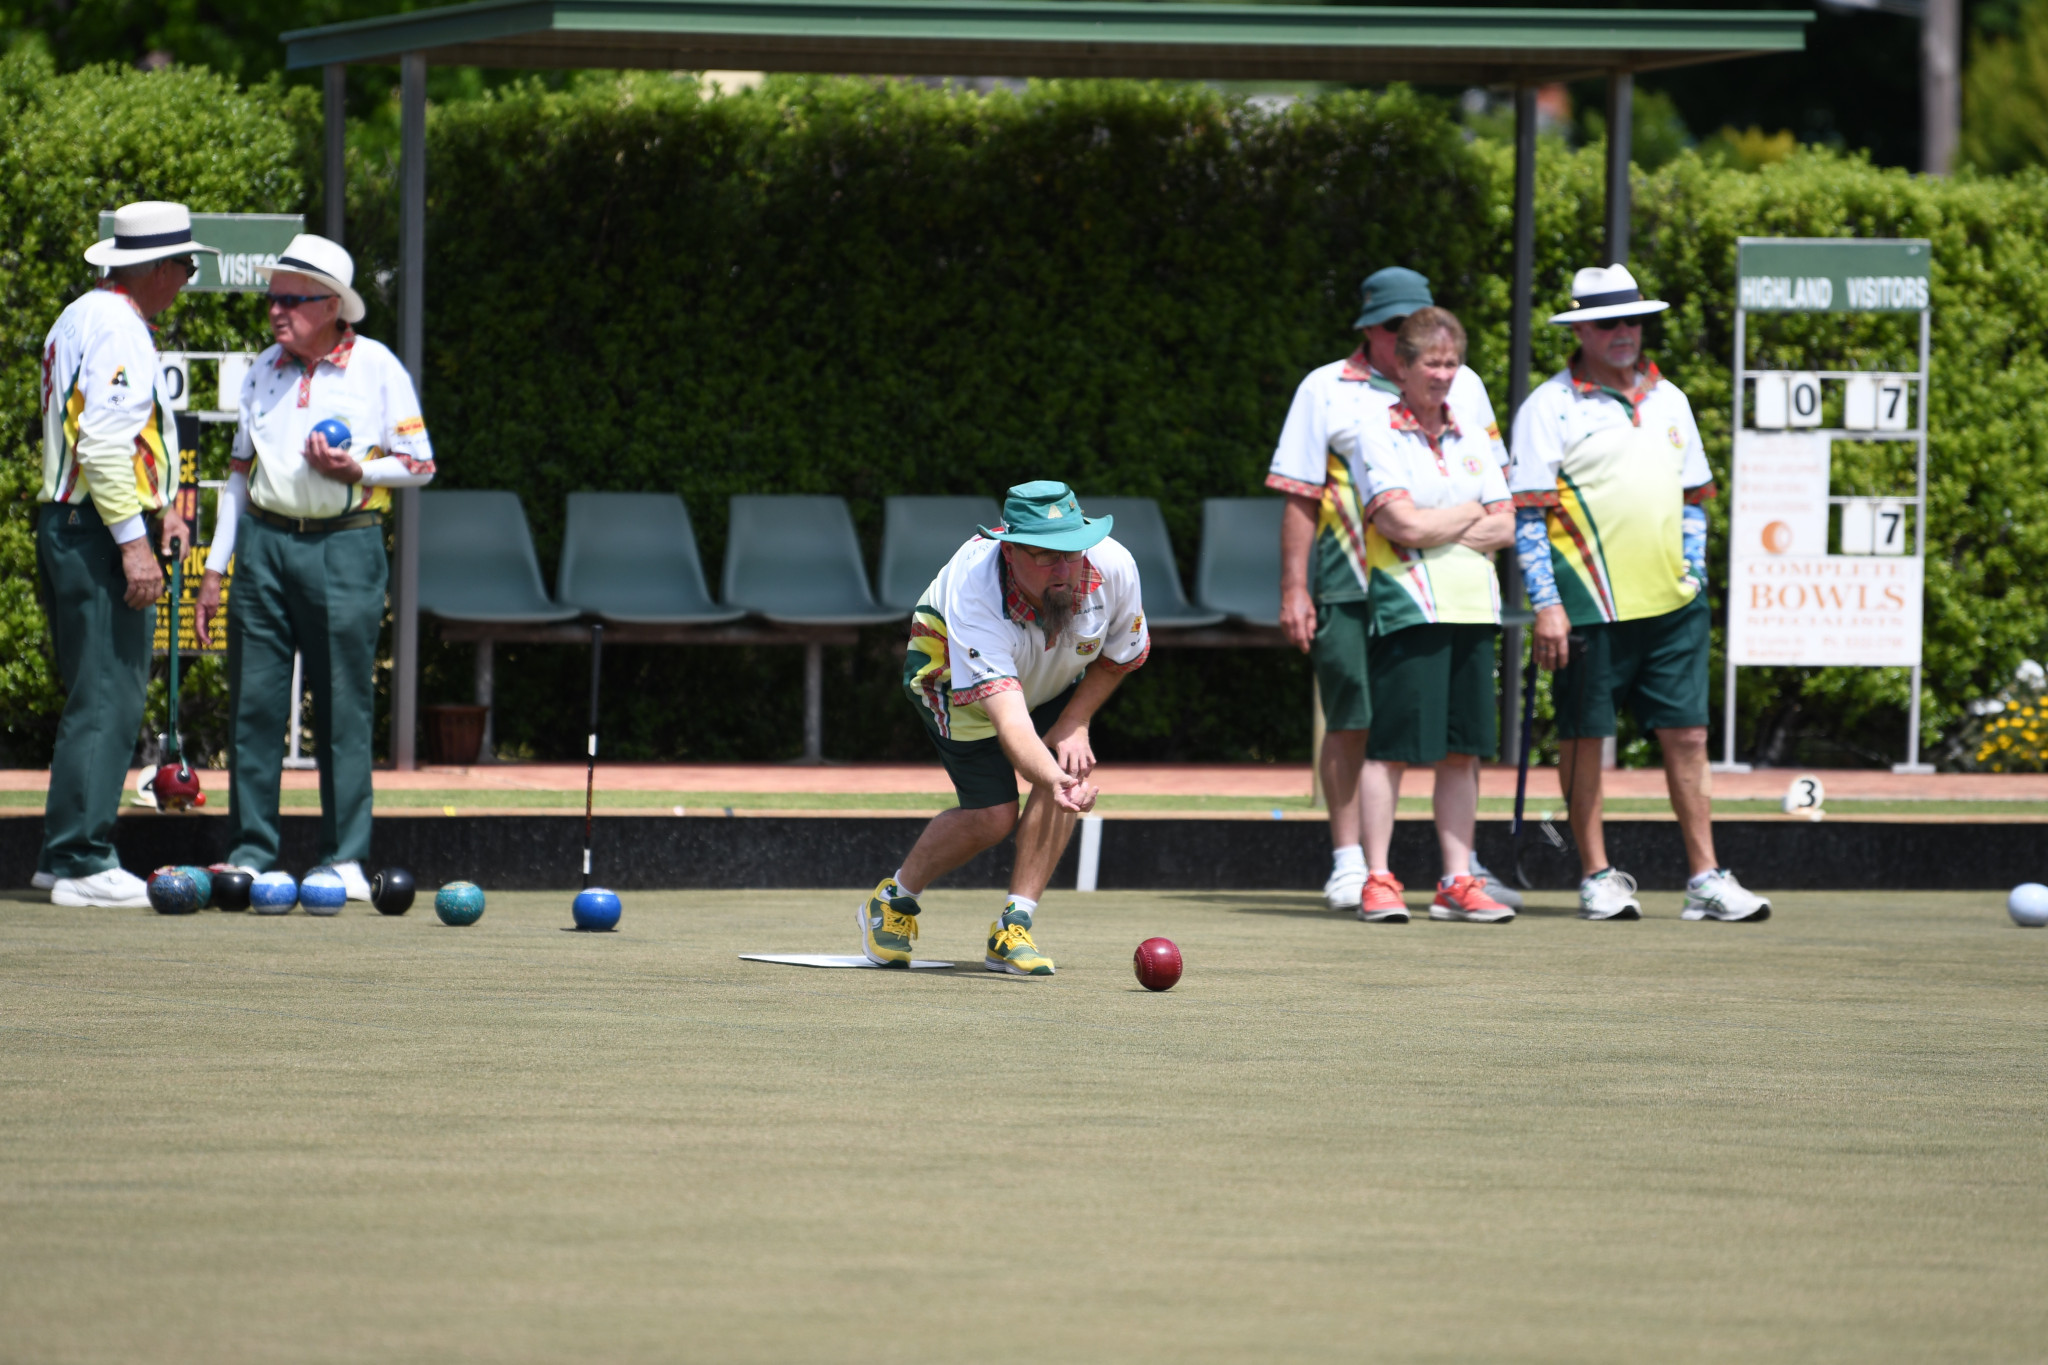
point(712, 803)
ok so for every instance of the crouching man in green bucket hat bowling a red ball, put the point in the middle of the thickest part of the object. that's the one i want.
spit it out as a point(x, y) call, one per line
point(1013, 652)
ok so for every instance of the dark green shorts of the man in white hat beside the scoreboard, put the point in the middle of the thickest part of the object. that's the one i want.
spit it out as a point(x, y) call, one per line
point(1656, 664)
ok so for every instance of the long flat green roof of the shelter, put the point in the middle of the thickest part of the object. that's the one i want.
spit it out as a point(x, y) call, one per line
point(1060, 38)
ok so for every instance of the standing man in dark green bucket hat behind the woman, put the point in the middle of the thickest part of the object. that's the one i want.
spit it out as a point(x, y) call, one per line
point(1324, 545)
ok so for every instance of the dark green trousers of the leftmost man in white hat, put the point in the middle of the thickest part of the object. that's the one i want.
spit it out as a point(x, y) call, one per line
point(103, 658)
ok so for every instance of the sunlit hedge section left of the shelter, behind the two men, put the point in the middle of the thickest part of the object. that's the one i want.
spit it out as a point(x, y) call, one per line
point(71, 148)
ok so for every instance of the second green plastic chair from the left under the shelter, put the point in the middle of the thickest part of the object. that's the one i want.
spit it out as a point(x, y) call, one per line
point(632, 560)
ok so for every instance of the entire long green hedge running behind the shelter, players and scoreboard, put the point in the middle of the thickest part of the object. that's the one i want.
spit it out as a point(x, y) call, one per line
point(869, 288)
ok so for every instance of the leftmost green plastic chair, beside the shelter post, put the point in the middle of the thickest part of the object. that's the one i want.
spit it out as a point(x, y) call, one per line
point(478, 564)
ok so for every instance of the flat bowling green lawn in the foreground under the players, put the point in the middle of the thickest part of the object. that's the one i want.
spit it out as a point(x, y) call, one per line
point(359, 1139)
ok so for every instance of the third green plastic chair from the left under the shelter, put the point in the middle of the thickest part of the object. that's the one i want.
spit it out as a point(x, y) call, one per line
point(796, 562)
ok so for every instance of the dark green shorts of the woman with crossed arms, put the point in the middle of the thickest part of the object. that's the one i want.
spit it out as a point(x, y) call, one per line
point(1435, 695)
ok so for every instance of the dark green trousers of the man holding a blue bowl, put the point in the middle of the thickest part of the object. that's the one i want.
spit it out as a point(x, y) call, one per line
point(323, 597)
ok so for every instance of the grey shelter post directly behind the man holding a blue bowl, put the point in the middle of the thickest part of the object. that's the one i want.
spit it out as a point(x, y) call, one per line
point(413, 351)
